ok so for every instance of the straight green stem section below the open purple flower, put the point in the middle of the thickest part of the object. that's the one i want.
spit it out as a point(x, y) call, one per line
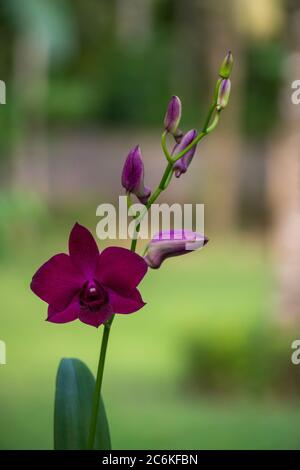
point(97, 390)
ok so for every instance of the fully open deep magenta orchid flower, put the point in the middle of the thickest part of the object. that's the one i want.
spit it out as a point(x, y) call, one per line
point(88, 285)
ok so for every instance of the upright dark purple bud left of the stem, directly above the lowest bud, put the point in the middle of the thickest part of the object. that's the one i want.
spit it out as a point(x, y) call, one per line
point(133, 175)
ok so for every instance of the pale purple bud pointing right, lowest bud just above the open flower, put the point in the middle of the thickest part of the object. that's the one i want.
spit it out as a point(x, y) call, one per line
point(167, 244)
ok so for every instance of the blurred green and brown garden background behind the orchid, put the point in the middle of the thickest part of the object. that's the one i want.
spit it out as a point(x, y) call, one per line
point(207, 363)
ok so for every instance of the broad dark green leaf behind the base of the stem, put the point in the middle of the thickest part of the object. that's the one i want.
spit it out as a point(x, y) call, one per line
point(73, 401)
